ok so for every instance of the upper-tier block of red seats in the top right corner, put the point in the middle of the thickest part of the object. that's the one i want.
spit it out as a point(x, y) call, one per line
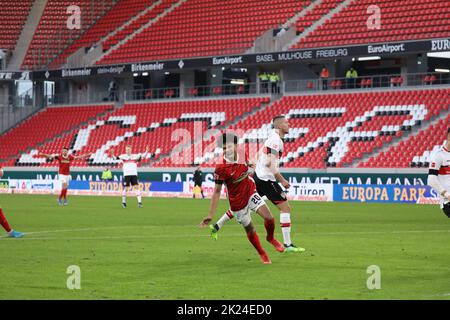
point(401, 20)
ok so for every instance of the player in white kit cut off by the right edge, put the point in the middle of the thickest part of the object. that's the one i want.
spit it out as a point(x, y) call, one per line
point(439, 174)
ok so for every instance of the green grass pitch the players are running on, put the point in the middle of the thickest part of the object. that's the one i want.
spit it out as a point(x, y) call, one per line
point(158, 252)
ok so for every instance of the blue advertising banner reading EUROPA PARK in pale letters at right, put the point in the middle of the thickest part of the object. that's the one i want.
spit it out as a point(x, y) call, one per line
point(384, 193)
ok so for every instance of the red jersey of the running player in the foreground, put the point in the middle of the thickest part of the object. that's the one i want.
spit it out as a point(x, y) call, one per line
point(239, 184)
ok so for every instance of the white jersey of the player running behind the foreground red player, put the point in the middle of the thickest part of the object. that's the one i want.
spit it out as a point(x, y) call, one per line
point(273, 144)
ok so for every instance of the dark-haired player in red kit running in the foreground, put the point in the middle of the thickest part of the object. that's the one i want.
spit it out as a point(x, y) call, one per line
point(242, 196)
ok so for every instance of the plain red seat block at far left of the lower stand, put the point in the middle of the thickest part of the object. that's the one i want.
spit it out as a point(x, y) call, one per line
point(45, 125)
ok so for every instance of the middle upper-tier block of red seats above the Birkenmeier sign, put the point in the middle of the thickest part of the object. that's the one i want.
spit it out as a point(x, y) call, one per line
point(194, 29)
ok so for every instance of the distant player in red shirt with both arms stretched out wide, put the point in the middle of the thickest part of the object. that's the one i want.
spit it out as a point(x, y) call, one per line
point(64, 161)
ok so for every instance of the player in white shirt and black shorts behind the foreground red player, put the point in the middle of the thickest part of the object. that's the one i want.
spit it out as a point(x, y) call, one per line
point(267, 178)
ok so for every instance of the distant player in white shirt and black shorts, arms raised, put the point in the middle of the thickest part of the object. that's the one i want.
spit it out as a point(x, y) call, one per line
point(130, 176)
